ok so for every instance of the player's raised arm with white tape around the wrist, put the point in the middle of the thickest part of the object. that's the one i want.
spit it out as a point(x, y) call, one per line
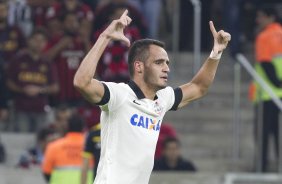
point(200, 83)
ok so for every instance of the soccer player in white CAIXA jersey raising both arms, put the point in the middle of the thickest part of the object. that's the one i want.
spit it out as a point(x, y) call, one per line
point(132, 113)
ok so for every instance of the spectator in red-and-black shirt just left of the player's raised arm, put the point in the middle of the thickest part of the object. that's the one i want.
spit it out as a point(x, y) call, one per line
point(67, 52)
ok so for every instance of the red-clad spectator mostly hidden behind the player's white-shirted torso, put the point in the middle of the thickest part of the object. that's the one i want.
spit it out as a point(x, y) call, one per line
point(166, 131)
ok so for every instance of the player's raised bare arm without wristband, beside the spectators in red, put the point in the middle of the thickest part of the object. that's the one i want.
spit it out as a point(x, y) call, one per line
point(90, 88)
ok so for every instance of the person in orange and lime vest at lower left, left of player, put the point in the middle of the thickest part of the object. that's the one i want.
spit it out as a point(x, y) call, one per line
point(62, 159)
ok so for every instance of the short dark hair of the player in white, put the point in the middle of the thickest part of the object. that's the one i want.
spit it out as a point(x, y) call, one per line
point(140, 51)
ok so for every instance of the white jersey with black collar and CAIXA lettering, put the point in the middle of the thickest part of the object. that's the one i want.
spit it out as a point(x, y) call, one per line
point(130, 126)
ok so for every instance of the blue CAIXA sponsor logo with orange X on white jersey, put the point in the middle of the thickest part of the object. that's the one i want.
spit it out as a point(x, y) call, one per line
point(145, 122)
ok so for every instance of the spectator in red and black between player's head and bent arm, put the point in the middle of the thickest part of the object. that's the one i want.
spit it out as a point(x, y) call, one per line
point(113, 66)
